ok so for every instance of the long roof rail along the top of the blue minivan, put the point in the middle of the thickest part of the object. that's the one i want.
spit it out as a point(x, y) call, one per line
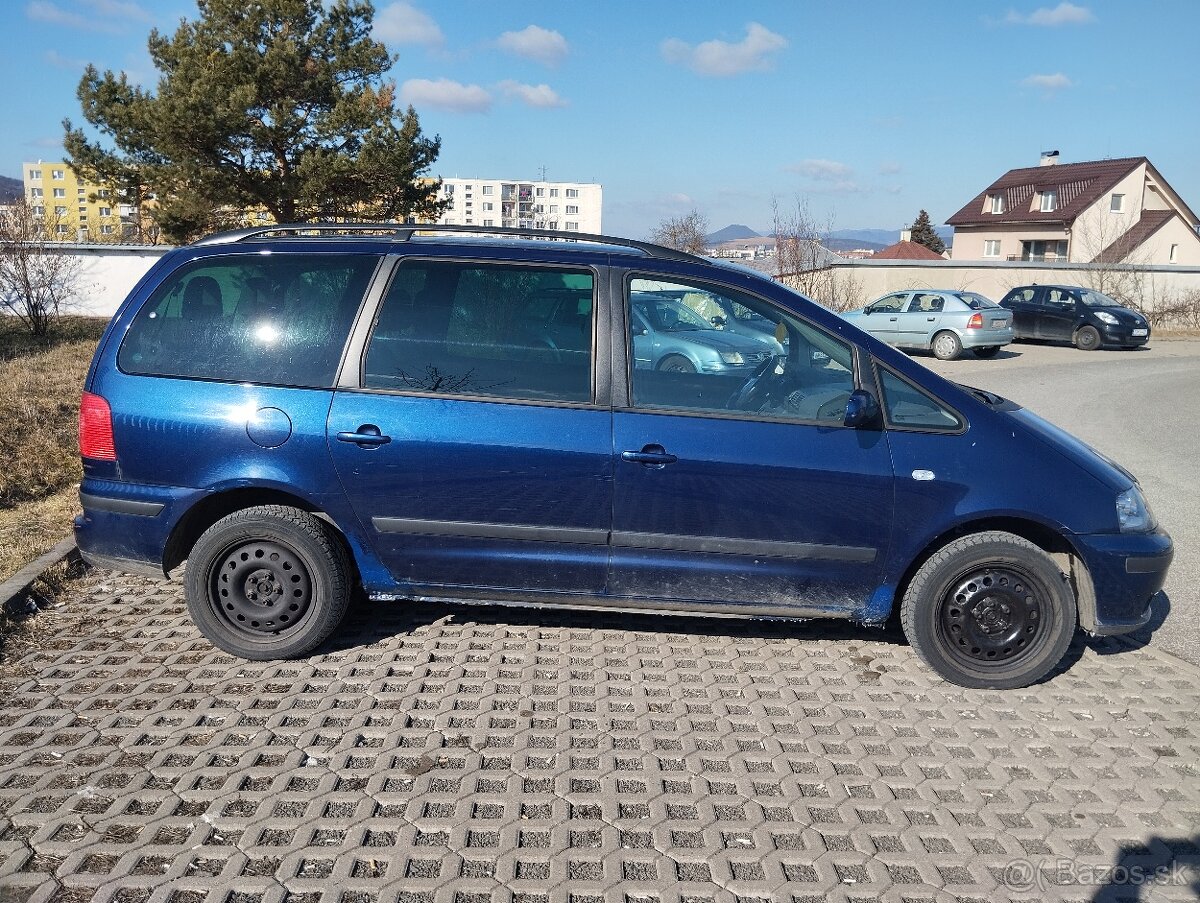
point(404, 232)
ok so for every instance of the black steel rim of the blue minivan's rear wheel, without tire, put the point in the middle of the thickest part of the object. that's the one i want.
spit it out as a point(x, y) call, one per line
point(261, 588)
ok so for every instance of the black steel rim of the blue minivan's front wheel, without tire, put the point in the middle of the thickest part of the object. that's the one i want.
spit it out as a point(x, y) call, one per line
point(993, 617)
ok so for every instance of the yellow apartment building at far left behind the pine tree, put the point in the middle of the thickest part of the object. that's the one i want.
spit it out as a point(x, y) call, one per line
point(74, 210)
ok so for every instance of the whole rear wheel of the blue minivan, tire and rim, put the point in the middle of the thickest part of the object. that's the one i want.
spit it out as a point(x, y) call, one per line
point(268, 583)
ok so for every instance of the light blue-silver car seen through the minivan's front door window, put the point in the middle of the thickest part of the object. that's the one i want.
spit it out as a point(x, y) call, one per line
point(669, 336)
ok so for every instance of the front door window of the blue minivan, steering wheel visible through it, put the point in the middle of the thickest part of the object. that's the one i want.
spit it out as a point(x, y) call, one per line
point(782, 369)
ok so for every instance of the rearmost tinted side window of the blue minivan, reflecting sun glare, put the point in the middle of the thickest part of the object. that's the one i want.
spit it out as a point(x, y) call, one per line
point(279, 320)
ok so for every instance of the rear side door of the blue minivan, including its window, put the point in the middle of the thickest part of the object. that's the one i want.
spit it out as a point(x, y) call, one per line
point(467, 434)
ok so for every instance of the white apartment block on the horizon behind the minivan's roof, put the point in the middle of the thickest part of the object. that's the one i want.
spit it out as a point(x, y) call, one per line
point(563, 206)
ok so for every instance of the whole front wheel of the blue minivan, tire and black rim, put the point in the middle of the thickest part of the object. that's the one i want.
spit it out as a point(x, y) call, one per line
point(989, 612)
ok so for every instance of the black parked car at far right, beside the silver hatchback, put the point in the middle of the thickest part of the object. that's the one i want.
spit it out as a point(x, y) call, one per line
point(1071, 314)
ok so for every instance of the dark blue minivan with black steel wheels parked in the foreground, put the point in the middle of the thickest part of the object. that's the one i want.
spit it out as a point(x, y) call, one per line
point(296, 412)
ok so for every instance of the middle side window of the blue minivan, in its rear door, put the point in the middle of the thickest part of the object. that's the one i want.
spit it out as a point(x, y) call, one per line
point(500, 331)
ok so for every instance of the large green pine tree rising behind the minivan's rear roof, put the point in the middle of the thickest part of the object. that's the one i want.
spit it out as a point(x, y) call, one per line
point(278, 106)
